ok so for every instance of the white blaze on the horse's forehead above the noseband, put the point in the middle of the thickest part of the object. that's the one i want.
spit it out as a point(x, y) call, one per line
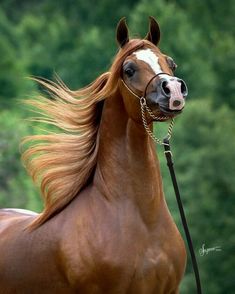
point(150, 58)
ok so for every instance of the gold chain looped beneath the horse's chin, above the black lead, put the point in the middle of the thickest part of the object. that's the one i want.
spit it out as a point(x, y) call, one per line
point(144, 107)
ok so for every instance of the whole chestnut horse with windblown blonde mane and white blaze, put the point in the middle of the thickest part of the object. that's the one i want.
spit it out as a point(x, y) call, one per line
point(105, 227)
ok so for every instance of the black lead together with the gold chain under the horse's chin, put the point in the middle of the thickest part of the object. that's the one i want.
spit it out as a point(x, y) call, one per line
point(168, 154)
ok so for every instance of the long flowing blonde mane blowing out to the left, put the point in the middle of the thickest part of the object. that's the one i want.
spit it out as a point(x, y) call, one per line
point(61, 163)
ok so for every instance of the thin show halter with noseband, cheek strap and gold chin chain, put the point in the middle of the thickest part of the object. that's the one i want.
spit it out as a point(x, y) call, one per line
point(144, 107)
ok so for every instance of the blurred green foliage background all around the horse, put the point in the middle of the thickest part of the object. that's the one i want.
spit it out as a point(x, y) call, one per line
point(76, 39)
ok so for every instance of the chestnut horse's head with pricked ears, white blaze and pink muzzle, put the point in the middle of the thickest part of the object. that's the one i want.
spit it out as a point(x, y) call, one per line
point(148, 74)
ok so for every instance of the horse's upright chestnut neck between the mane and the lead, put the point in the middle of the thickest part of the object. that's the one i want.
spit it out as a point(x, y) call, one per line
point(127, 167)
